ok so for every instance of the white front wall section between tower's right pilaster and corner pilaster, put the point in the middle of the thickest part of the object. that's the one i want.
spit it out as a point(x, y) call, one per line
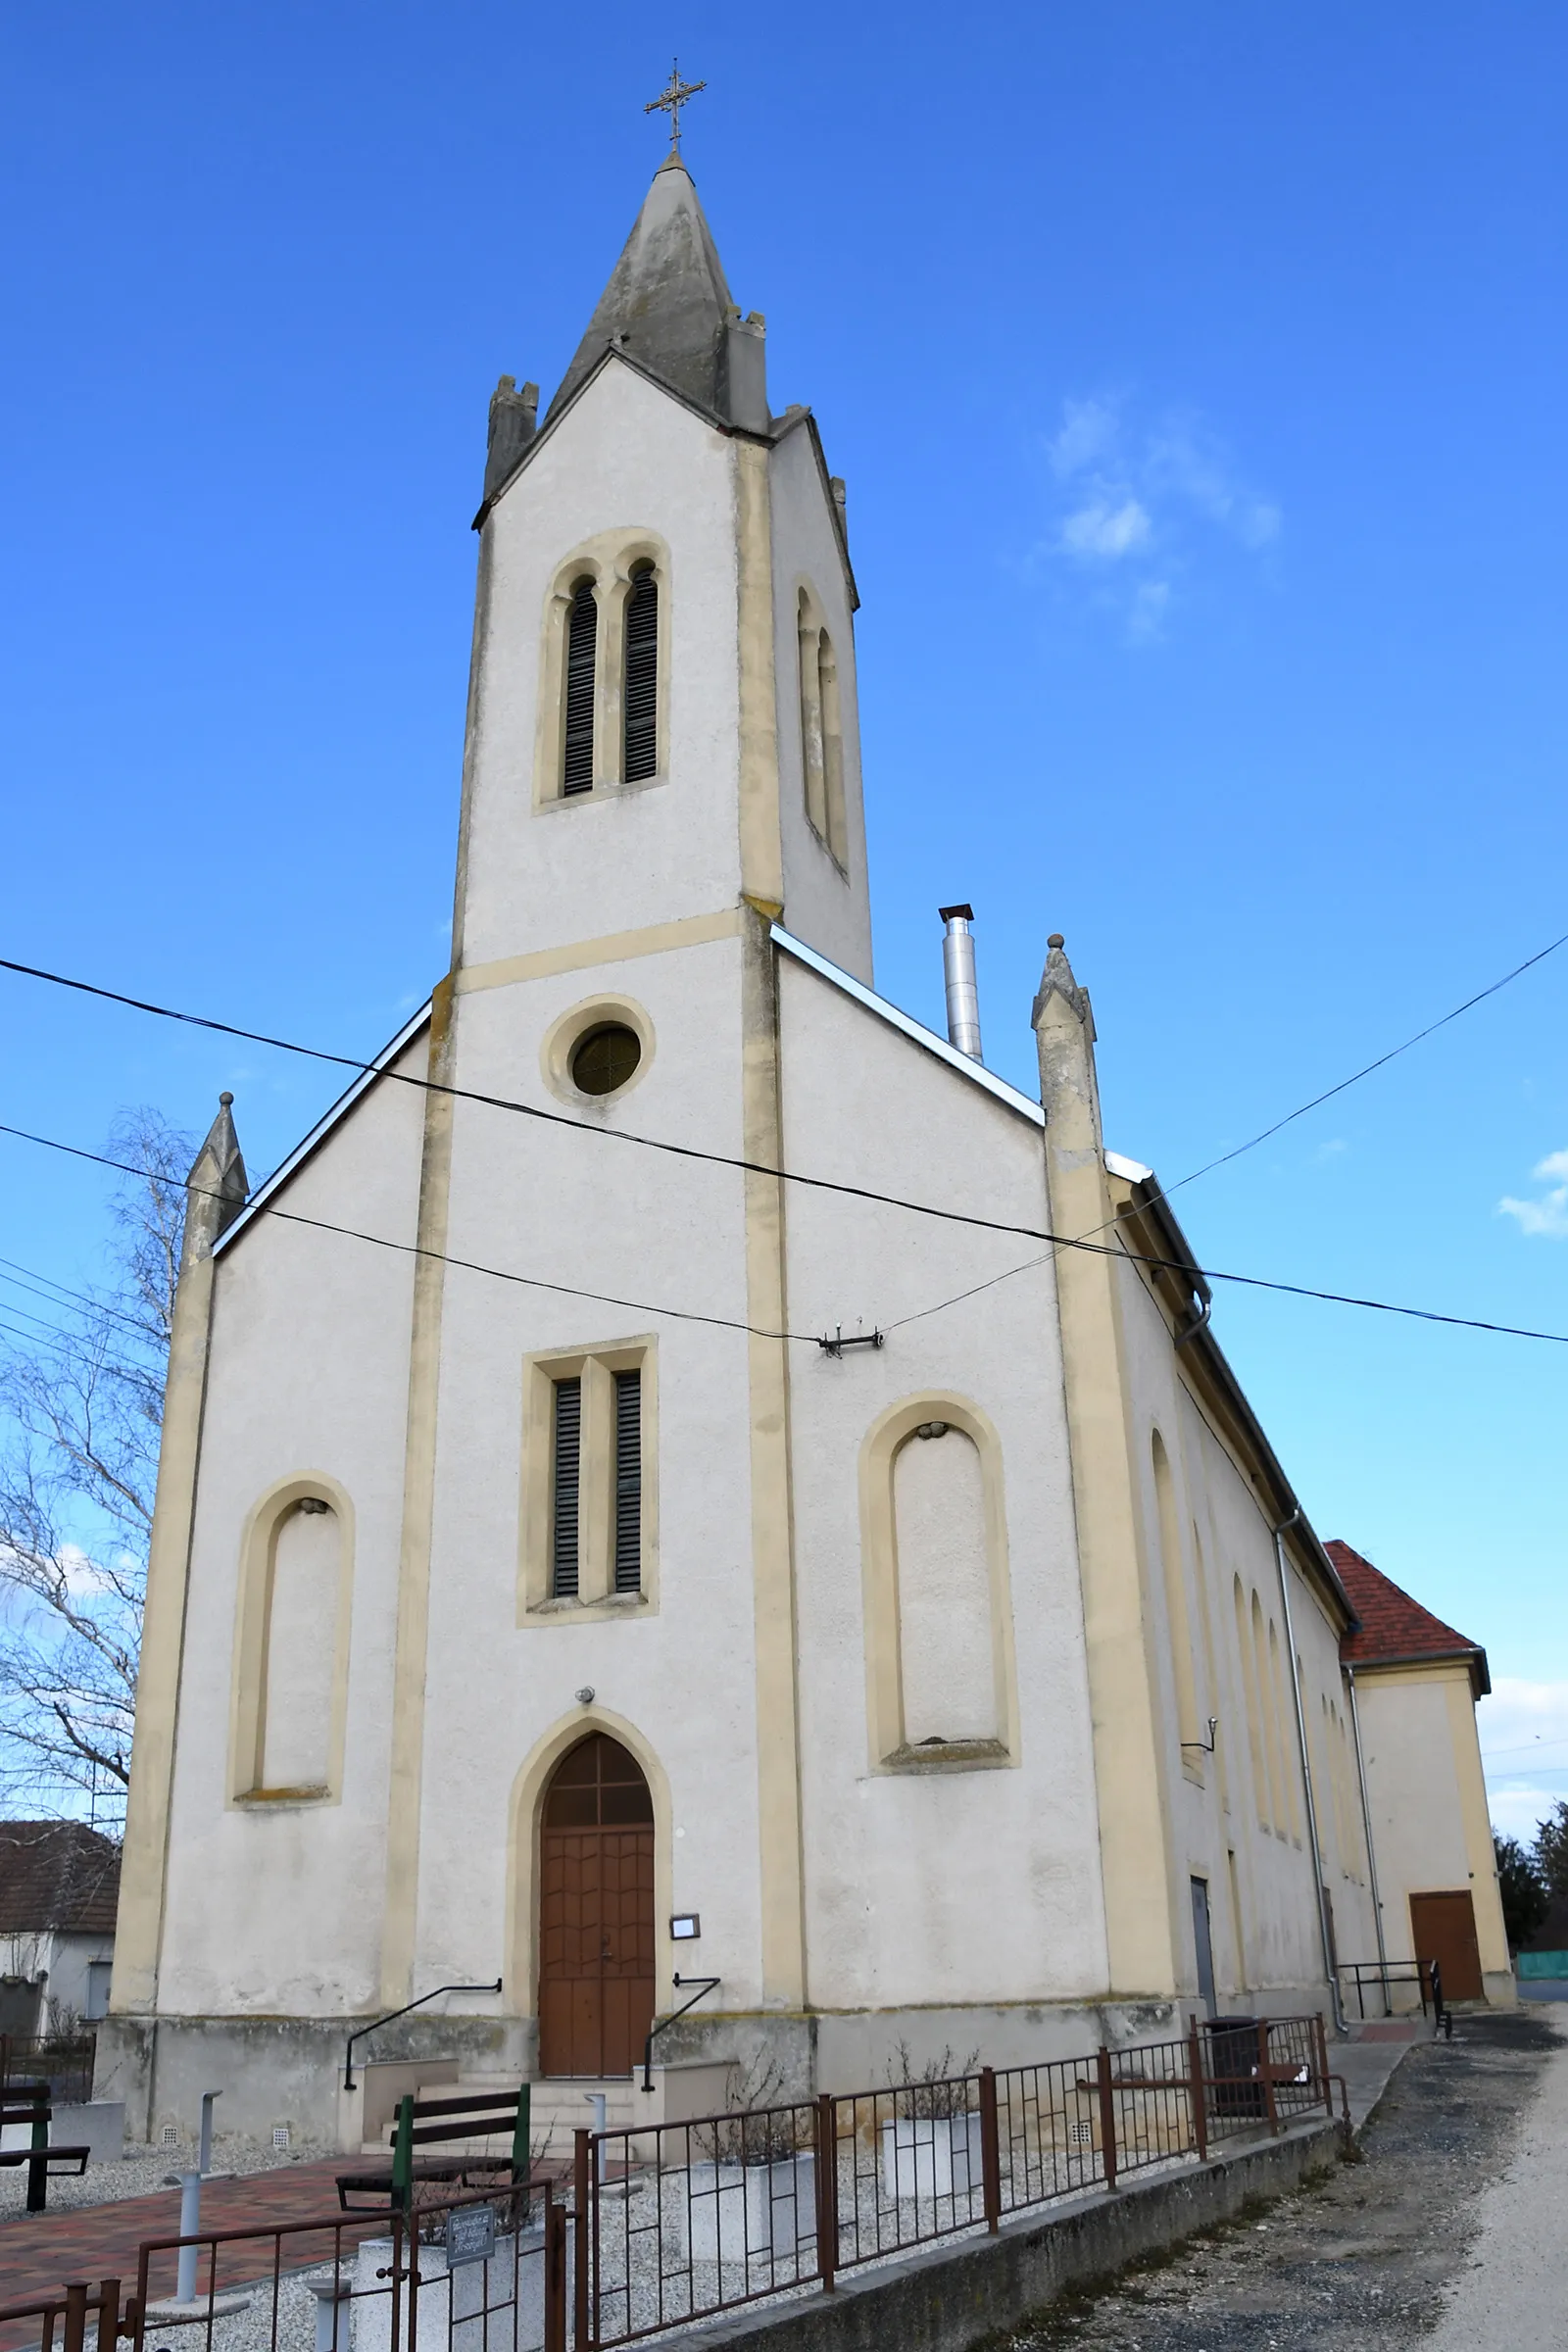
point(960, 1885)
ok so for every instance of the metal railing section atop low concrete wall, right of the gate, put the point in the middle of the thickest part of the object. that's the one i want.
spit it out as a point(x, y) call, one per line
point(685, 2221)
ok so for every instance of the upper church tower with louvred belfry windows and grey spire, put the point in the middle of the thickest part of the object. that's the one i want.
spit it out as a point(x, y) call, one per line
point(664, 697)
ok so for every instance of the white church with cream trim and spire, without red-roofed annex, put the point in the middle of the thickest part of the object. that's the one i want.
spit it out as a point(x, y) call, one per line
point(535, 1598)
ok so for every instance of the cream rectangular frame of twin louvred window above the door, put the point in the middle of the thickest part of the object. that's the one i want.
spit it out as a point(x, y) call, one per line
point(596, 1525)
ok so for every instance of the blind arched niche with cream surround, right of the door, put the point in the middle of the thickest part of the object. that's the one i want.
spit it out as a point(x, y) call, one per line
point(937, 1589)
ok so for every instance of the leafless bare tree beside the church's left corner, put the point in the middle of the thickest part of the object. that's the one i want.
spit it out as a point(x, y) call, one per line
point(79, 1469)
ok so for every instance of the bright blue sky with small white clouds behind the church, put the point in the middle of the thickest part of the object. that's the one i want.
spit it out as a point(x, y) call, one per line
point(1198, 375)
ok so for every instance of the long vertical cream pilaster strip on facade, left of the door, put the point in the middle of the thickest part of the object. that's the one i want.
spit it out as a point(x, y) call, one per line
point(406, 1782)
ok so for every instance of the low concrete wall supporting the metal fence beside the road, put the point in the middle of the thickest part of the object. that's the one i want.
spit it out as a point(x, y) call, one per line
point(956, 2299)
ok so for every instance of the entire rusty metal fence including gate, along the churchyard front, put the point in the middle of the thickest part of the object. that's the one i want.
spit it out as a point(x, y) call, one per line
point(681, 2221)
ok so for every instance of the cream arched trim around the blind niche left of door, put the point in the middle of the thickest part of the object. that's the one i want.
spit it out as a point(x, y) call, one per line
point(250, 1664)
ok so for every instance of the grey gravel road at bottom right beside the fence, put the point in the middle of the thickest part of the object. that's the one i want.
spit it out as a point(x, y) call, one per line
point(1454, 2221)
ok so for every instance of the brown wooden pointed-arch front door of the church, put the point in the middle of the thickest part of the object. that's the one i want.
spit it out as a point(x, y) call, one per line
point(596, 1913)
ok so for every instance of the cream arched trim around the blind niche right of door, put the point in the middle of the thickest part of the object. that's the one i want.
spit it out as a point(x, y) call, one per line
point(880, 1448)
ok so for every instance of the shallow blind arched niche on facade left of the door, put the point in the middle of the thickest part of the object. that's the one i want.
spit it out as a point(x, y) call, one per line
point(290, 1681)
